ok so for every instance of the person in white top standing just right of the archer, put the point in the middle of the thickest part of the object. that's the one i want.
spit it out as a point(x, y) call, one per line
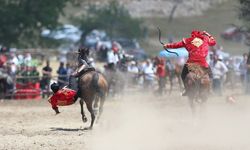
point(219, 69)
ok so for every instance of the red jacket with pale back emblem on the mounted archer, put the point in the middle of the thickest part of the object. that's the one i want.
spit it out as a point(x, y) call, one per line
point(197, 46)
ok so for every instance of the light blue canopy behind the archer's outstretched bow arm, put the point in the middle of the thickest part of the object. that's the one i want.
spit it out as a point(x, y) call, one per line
point(182, 52)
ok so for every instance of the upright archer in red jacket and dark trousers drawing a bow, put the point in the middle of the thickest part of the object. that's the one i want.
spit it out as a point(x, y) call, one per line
point(197, 46)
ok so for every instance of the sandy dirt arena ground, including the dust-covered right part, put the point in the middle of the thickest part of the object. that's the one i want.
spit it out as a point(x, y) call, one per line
point(135, 121)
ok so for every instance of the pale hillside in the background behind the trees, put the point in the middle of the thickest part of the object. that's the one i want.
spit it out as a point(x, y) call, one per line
point(211, 15)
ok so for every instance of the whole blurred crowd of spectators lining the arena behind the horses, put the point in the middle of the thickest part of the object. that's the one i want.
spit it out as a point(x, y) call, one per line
point(153, 74)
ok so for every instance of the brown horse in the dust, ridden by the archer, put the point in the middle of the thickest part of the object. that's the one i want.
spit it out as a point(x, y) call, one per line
point(198, 85)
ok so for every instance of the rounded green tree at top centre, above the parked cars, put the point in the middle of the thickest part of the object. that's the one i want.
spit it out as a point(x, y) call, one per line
point(113, 18)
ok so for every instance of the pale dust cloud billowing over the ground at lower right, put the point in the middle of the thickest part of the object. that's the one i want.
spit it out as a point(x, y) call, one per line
point(147, 122)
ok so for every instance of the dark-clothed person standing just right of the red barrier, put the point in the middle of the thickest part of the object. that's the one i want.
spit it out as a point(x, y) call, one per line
point(46, 77)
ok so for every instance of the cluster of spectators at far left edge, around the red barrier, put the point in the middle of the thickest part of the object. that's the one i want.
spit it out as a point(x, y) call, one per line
point(16, 70)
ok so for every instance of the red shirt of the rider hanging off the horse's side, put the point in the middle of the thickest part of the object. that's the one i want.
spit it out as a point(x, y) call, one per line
point(62, 97)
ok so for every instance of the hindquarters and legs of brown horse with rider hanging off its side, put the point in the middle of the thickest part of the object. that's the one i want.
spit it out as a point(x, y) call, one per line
point(94, 88)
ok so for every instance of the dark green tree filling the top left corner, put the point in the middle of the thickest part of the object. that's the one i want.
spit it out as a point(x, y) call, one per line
point(22, 21)
